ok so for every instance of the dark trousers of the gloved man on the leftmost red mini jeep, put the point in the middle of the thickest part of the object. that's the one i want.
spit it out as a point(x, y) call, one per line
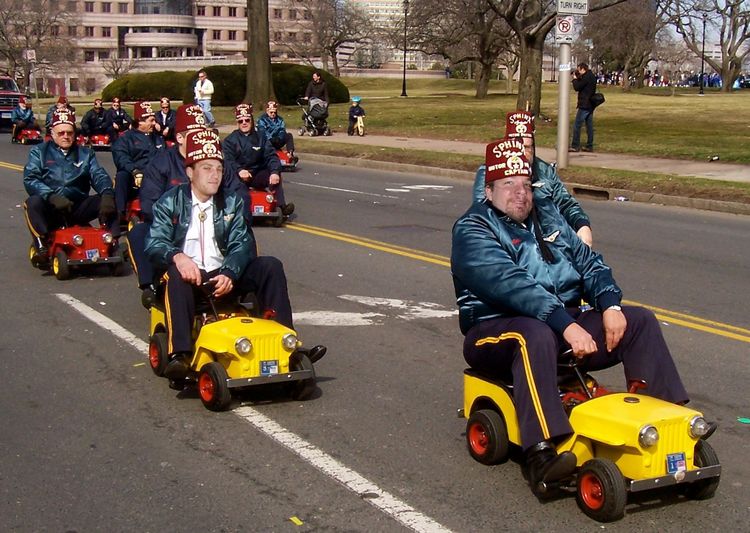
point(42, 217)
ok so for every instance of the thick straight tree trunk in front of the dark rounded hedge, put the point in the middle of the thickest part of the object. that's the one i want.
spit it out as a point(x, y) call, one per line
point(259, 83)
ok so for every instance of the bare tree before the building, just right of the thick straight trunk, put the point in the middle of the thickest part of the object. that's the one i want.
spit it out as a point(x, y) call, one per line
point(323, 28)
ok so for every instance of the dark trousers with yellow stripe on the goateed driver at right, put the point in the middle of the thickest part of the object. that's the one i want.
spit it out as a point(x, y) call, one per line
point(524, 351)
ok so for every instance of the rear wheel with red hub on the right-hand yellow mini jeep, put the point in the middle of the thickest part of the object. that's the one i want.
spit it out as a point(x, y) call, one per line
point(487, 437)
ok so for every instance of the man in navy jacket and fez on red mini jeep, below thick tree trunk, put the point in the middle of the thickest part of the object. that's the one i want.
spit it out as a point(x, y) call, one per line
point(250, 161)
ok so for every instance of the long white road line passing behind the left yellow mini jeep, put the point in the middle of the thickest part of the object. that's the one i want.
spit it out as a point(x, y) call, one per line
point(367, 490)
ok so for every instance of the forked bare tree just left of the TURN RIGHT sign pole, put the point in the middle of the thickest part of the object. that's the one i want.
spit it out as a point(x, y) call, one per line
point(532, 20)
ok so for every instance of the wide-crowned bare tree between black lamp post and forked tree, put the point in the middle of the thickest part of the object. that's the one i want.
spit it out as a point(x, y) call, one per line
point(461, 31)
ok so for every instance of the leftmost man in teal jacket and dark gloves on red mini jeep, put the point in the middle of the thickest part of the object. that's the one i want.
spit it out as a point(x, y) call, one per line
point(58, 177)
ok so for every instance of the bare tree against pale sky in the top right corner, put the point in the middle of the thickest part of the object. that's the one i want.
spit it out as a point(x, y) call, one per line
point(729, 20)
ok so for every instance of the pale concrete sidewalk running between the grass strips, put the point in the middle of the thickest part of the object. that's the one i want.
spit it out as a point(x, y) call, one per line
point(709, 170)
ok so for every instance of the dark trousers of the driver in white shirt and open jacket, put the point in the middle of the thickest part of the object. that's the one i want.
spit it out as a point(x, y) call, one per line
point(264, 276)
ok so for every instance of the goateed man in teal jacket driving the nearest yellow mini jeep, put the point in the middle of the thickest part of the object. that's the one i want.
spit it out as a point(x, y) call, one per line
point(519, 273)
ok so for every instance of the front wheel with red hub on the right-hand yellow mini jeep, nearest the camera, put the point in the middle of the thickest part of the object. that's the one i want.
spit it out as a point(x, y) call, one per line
point(600, 490)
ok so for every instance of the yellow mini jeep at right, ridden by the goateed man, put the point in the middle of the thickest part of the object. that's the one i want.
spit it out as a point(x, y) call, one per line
point(624, 442)
